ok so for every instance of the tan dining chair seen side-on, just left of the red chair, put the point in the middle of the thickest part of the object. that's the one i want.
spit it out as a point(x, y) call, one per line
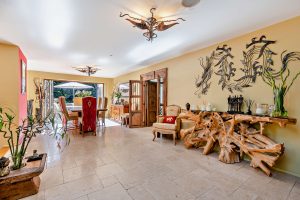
point(67, 116)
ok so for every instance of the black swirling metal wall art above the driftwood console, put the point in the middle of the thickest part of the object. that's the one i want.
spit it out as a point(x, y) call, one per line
point(257, 62)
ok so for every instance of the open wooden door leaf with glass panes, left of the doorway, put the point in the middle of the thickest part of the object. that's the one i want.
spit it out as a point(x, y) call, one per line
point(135, 103)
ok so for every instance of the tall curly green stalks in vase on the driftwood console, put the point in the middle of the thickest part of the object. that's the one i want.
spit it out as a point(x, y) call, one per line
point(280, 84)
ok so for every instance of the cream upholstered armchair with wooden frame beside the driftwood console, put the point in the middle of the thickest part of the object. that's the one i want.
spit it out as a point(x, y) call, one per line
point(167, 128)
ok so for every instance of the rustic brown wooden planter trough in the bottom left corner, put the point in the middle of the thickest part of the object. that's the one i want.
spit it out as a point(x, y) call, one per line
point(23, 182)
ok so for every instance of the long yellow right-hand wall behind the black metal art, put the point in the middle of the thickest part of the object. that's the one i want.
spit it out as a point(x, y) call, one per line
point(183, 70)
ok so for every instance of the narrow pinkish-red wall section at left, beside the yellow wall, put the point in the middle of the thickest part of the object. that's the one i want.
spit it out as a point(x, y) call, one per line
point(22, 97)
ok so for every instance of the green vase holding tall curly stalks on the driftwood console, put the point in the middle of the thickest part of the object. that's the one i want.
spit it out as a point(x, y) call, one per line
point(279, 110)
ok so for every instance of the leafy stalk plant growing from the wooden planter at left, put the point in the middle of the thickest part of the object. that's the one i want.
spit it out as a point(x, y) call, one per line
point(19, 136)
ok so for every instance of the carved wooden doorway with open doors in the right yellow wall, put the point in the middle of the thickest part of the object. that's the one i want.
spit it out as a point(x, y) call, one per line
point(148, 98)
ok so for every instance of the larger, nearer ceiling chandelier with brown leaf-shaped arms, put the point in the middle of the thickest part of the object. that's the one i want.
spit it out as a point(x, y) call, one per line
point(151, 24)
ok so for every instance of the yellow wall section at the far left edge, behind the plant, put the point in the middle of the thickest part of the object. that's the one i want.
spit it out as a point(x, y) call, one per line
point(9, 84)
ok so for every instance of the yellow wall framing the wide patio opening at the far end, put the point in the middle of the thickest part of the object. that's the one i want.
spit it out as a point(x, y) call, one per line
point(108, 82)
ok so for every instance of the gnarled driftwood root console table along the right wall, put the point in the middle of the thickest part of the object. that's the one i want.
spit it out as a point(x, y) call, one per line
point(236, 135)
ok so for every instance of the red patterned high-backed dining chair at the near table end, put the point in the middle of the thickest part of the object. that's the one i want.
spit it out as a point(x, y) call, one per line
point(89, 114)
